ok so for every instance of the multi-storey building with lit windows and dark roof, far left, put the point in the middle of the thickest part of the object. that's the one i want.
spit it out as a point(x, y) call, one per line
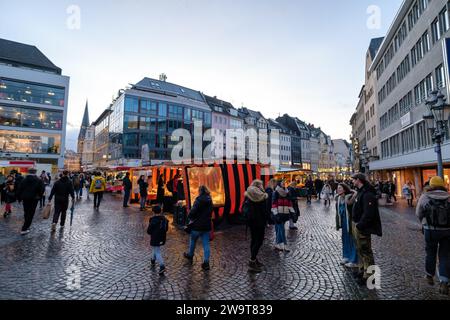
point(33, 106)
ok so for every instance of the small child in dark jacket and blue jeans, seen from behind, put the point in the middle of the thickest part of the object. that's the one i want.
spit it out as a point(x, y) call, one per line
point(157, 229)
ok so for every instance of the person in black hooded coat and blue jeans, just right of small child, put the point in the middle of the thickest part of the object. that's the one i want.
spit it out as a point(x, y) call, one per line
point(200, 225)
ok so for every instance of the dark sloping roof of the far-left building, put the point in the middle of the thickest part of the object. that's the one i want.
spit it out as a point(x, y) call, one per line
point(19, 54)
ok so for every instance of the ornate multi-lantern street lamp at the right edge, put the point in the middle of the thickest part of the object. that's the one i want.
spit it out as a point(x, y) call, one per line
point(435, 120)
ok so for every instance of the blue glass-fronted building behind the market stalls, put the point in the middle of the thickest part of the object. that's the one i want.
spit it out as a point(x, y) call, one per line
point(144, 117)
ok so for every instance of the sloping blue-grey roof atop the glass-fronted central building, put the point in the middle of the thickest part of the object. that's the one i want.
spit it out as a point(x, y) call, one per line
point(167, 87)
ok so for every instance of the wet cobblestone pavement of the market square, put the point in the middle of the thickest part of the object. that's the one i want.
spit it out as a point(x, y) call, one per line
point(111, 249)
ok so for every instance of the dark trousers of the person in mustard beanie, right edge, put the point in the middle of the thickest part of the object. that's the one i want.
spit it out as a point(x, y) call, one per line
point(437, 243)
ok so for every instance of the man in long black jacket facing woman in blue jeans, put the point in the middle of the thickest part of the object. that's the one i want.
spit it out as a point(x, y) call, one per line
point(366, 222)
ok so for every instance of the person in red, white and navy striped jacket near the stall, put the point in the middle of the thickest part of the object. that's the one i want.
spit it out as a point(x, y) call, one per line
point(281, 212)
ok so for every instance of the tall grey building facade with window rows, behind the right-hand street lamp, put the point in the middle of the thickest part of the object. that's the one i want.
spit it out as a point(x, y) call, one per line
point(409, 65)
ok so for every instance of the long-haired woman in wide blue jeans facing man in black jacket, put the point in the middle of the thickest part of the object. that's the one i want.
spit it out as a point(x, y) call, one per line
point(344, 205)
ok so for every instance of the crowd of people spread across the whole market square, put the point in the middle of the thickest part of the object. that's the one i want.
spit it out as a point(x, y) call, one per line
point(356, 205)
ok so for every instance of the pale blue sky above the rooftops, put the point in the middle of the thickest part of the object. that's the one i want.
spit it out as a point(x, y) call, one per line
point(300, 57)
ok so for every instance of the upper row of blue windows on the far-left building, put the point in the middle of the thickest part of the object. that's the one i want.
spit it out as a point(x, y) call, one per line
point(13, 90)
